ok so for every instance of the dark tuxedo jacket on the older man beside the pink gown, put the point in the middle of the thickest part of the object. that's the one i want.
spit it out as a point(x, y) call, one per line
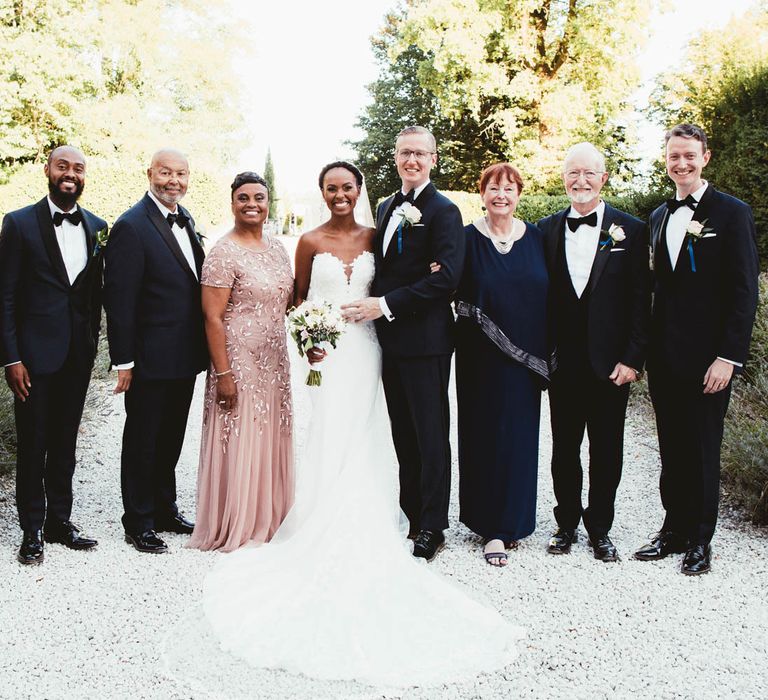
point(152, 298)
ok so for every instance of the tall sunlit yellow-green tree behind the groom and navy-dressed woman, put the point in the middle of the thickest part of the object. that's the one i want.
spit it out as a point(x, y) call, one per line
point(520, 79)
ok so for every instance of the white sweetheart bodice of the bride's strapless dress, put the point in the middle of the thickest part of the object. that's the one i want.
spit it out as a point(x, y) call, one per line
point(339, 283)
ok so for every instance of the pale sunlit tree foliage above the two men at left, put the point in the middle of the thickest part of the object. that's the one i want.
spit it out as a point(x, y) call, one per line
point(119, 79)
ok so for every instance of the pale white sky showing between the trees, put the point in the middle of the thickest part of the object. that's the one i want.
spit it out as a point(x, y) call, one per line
point(305, 83)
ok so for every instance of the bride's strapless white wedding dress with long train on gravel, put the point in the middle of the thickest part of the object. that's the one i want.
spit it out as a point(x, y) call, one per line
point(337, 594)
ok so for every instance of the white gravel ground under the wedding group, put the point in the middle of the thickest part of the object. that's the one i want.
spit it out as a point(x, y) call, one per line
point(92, 625)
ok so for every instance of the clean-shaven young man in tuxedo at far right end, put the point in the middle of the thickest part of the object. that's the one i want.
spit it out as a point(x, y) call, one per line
point(705, 297)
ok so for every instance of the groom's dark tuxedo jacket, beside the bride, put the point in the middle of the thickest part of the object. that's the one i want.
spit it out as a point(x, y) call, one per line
point(419, 301)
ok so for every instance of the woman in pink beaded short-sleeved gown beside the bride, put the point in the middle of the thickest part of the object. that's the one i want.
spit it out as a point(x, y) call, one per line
point(245, 481)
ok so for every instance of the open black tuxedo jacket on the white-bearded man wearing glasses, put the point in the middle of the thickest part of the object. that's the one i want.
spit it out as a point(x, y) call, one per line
point(619, 300)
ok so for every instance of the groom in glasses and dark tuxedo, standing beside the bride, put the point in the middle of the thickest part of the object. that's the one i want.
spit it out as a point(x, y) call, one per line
point(414, 322)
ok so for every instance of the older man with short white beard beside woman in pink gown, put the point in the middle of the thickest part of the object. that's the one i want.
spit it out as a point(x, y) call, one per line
point(157, 344)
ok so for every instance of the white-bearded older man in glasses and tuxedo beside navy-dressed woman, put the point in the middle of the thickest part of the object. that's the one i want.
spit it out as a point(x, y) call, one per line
point(599, 302)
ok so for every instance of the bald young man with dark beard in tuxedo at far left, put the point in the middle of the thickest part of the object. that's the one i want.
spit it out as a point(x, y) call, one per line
point(50, 280)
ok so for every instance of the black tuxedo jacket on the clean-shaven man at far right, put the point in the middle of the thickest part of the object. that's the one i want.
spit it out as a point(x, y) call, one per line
point(699, 316)
